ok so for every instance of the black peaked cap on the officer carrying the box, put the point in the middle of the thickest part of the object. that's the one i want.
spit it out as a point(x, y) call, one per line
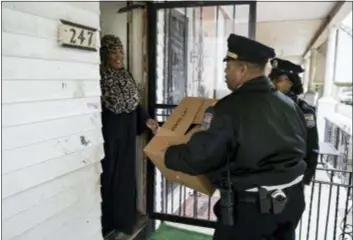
point(245, 49)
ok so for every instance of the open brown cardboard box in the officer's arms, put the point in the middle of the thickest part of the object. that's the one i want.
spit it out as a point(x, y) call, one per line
point(182, 123)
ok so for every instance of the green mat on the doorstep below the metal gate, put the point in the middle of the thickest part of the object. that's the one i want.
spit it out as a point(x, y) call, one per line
point(165, 232)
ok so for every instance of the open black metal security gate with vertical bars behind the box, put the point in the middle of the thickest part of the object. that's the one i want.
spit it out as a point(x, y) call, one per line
point(186, 45)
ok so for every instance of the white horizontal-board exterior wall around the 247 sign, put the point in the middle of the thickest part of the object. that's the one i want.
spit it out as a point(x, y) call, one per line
point(52, 143)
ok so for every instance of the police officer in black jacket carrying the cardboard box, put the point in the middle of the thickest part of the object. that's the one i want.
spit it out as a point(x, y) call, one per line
point(252, 148)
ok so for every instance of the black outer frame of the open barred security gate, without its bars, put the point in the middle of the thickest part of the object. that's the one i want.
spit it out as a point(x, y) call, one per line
point(152, 10)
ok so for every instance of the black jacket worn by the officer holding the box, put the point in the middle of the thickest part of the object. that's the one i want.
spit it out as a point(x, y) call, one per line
point(262, 132)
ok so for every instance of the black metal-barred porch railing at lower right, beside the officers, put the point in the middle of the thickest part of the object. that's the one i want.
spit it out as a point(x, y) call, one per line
point(328, 214)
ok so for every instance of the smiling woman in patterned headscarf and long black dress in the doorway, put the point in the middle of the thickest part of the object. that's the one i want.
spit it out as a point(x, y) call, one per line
point(122, 118)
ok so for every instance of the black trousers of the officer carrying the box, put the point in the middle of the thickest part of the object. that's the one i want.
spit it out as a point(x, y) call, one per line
point(251, 224)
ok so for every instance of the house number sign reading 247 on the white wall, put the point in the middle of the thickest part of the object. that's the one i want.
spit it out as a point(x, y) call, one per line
point(77, 36)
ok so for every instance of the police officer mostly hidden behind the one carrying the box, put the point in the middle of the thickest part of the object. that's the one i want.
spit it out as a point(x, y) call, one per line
point(285, 76)
